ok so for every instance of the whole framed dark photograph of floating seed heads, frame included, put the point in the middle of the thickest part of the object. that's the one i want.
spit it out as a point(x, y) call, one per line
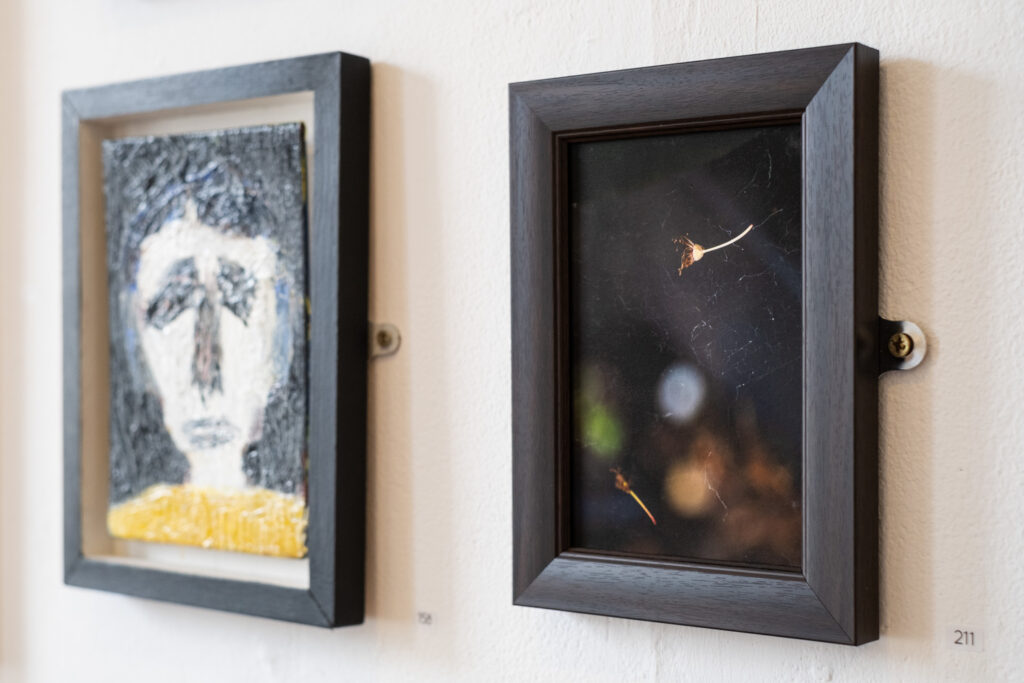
point(696, 344)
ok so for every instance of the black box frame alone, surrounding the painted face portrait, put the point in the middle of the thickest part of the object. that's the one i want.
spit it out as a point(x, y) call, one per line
point(338, 275)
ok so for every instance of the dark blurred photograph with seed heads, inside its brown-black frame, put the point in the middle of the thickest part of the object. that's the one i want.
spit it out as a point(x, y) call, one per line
point(688, 386)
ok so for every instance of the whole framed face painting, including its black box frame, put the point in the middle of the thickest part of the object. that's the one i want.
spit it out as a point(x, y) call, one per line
point(216, 338)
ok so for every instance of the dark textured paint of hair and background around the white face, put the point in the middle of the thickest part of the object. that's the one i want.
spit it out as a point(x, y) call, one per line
point(248, 183)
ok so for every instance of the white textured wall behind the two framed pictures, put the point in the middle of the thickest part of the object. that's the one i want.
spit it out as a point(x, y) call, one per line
point(440, 472)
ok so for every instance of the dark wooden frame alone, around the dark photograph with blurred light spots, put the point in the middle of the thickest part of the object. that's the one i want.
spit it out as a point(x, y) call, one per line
point(833, 93)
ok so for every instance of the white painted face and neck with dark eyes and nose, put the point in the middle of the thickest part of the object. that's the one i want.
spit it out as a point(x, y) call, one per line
point(206, 310)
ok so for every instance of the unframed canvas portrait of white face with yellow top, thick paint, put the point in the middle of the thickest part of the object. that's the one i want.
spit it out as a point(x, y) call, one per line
point(206, 258)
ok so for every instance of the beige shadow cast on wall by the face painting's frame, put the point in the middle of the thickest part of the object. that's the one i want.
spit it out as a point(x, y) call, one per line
point(408, 242)
